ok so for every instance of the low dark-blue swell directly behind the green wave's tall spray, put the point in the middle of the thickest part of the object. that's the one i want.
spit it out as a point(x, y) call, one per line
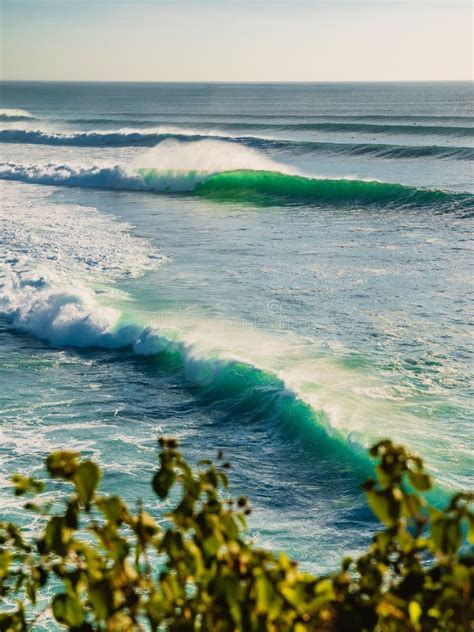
point(149, 138)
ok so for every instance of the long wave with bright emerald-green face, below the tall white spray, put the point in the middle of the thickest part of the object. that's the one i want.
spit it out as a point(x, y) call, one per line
point(256, 187)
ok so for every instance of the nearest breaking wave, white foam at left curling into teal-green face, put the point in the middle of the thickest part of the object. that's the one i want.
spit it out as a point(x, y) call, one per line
point(68, 314)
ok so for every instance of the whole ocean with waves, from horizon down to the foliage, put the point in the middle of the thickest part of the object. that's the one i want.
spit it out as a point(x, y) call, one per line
point(281, 271)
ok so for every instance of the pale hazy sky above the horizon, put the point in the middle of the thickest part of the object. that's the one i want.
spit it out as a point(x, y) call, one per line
point(238, 40)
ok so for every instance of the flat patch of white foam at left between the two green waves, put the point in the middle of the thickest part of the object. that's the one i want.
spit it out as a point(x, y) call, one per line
point(38, 233)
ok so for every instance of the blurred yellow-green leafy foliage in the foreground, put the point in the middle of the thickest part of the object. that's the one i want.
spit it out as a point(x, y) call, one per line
point(111, 568)
